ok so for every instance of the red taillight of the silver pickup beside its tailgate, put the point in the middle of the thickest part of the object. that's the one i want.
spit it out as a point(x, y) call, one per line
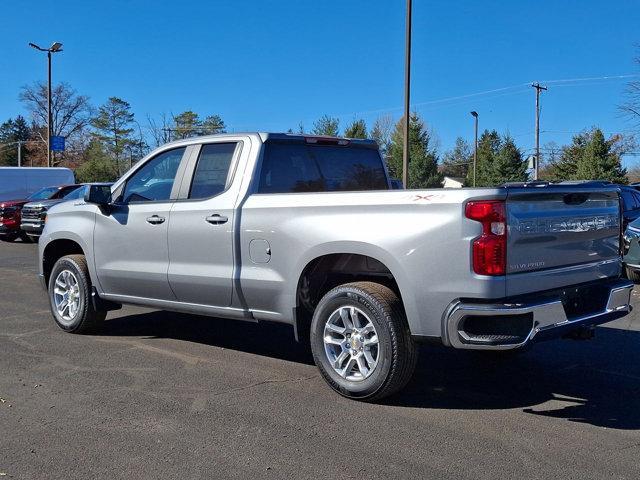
point(490, 249)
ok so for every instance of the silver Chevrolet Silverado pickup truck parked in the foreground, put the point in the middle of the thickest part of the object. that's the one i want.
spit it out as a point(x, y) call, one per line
point(307, 231)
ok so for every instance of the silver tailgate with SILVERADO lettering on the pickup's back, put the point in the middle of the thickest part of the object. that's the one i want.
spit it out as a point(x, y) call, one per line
point(568, 228)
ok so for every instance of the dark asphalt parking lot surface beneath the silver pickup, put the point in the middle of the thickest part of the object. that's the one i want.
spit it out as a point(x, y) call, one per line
point(162, 395)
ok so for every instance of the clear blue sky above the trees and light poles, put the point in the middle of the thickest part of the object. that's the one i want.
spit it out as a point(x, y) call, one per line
point(271, 65)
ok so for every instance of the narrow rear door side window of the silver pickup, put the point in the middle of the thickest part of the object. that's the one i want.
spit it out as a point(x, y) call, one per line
point(212, 170)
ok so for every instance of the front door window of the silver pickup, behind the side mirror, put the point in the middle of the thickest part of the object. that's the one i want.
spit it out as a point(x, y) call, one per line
point(154, 181)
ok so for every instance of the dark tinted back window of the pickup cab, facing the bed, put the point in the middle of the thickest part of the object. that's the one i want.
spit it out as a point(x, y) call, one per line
point(294, 168)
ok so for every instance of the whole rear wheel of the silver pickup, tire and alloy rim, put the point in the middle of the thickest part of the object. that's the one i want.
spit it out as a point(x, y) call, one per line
point(361, 342)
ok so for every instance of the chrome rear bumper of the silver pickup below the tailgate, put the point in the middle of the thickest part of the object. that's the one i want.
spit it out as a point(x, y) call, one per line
point(530, 320)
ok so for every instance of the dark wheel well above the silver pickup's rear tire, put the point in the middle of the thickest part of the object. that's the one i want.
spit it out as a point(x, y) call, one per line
point(326, 272)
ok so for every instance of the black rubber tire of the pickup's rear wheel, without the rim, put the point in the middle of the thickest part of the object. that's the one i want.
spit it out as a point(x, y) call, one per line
point(397, 352)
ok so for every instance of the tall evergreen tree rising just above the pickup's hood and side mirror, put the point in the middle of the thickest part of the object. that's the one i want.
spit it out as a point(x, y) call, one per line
point(113, 127)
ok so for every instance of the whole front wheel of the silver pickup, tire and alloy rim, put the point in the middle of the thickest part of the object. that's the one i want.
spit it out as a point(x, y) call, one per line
point(70, 296)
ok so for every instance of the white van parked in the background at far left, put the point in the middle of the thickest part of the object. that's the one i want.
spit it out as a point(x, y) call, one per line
point(20, 182)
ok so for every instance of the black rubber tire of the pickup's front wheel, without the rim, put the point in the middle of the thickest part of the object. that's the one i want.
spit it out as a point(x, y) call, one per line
point(86, 319)
